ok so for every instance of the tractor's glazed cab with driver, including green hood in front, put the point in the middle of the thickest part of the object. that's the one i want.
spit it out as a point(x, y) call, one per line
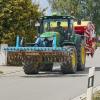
point(60, 27)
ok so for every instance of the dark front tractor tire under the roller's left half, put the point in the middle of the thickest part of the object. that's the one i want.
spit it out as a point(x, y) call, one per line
point(30, 69)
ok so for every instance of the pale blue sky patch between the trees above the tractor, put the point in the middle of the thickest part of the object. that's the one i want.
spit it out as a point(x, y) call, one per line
point(45, 4)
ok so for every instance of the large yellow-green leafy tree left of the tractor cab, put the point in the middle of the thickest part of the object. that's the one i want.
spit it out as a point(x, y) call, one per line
point(17, 17)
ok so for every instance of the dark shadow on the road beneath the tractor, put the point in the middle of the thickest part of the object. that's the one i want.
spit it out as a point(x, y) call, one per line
point(57, 73)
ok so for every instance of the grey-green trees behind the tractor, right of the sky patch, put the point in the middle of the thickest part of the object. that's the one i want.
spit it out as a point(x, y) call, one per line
point(86, 9)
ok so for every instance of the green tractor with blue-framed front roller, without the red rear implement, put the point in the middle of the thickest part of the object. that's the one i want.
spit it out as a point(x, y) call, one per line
point(57, 42)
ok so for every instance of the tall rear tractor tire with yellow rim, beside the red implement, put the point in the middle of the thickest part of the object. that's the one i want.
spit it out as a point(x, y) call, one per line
point(81, 57)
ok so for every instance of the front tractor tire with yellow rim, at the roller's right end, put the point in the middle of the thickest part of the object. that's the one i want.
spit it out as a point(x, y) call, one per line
point(70, 67)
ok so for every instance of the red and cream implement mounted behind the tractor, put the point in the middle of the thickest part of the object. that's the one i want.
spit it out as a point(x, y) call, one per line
point(87, 29)
